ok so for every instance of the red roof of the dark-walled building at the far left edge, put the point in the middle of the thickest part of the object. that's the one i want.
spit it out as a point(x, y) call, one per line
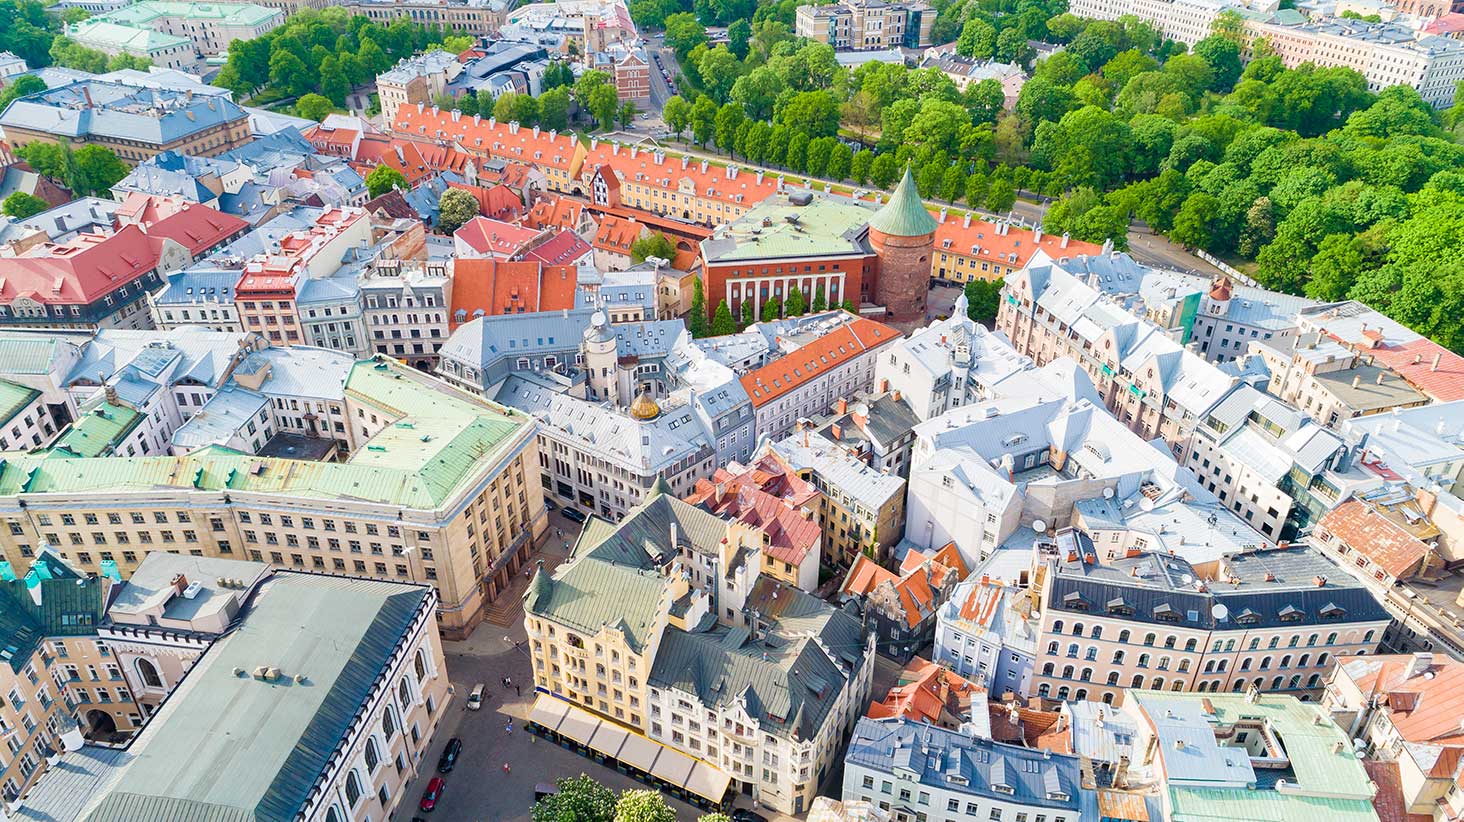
point(80, 272)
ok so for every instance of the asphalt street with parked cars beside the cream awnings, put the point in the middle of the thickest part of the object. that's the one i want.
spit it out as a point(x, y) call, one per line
point(479, 789)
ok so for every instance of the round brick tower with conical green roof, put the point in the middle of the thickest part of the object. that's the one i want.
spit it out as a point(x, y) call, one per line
point(903, 235)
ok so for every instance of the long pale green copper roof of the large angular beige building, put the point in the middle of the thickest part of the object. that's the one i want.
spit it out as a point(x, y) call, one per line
point(437, 443)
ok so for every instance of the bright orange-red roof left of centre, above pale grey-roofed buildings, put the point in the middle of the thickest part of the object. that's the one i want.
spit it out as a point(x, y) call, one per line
point(496, 286)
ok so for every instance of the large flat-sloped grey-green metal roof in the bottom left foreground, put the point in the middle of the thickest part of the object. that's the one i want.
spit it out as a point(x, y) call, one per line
point(204, 757)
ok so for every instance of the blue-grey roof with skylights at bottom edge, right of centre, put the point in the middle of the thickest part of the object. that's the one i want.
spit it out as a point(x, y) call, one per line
point(1037, 779)
